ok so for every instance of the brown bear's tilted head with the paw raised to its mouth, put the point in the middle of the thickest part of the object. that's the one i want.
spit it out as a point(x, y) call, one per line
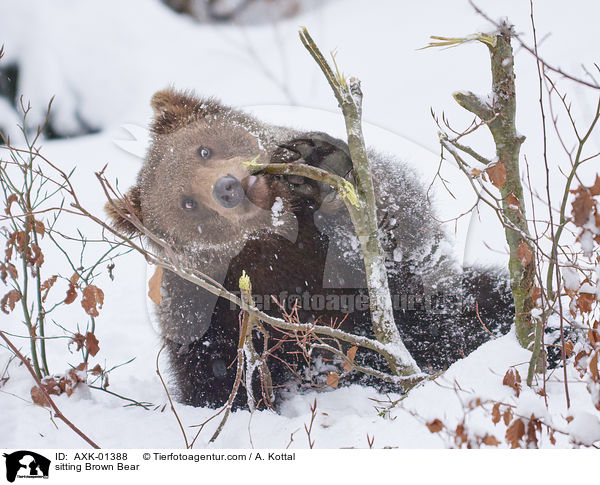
point(197, 189)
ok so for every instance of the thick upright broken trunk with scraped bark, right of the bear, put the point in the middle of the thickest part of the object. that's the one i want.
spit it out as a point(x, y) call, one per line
point(499, 115)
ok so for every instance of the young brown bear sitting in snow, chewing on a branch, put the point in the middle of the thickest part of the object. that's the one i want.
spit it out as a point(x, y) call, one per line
point(295, 240)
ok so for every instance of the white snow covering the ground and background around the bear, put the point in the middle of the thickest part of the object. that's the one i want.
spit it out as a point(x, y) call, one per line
point(103, 61)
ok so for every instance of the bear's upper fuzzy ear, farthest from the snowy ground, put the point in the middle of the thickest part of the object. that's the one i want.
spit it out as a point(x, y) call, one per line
point(174, 109)
